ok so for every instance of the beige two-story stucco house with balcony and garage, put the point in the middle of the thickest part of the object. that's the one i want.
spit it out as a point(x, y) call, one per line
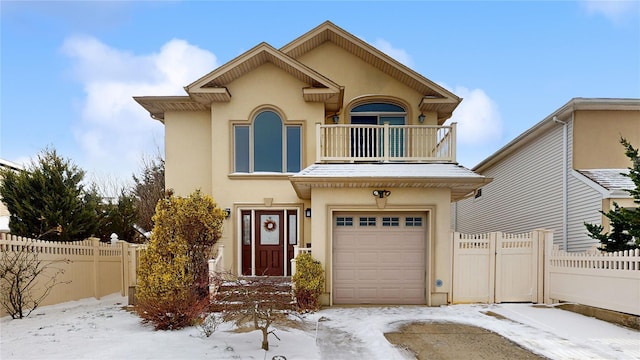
point(330, 144)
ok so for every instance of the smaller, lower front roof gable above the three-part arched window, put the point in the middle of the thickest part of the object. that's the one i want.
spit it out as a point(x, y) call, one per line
point(212, 87)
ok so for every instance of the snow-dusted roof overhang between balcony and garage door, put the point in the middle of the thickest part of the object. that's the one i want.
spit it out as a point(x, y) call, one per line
point(461, 181)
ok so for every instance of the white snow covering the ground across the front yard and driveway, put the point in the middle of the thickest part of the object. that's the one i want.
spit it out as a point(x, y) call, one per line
point(104, 329)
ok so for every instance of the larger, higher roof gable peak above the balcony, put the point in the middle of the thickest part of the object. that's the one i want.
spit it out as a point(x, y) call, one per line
point(435, 97)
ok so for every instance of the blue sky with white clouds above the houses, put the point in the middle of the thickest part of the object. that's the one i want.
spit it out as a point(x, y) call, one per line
point(69, 70)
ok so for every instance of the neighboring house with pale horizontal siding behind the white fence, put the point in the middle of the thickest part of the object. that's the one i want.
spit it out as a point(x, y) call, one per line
point(557, 175)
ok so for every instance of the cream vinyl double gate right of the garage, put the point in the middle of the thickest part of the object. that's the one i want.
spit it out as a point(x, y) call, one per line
point(498, 267)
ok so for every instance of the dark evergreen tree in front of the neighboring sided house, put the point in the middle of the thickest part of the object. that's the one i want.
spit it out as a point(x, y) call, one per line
point(625, 222)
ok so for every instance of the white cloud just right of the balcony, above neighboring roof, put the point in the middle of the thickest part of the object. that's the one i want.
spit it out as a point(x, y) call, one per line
point(477, 116)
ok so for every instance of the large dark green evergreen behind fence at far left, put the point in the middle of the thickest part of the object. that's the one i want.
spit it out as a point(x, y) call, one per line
point(48, 195)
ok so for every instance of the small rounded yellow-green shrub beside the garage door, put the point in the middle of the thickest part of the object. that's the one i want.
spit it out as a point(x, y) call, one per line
point(308, 282)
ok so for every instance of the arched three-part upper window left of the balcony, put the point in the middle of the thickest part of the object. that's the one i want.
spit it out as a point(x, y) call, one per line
point(267, 145)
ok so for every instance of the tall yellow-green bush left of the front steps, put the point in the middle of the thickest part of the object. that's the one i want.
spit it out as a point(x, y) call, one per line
point(173, 275)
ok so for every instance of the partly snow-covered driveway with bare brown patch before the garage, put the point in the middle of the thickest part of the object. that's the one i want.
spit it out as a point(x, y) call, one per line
point(499, 331)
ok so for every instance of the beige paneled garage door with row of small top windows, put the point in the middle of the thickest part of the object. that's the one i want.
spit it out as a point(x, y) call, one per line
point(379, 258)
